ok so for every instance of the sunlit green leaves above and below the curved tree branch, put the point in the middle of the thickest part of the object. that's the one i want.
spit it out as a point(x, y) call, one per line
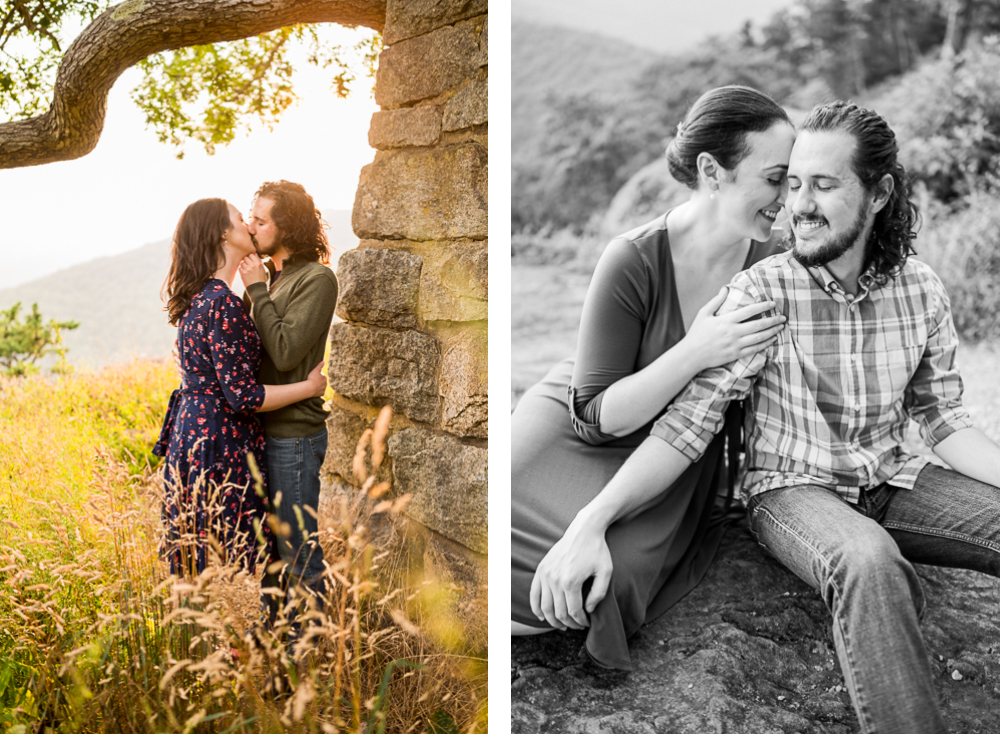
point(205, 93)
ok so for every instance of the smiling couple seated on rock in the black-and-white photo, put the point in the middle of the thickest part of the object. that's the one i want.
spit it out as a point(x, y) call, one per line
point(834, 345)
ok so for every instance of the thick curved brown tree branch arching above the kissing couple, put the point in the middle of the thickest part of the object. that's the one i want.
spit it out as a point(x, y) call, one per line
point(127, 33)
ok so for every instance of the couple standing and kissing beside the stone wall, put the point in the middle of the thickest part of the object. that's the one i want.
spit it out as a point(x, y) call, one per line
point(212, 425)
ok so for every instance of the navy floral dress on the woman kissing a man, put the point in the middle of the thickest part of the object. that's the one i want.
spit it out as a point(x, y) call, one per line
point(210, 503)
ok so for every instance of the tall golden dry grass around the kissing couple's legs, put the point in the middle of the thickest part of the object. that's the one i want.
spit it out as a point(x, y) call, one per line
point(96, 636)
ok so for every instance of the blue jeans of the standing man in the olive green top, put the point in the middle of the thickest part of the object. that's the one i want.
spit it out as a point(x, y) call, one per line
point(293, 485)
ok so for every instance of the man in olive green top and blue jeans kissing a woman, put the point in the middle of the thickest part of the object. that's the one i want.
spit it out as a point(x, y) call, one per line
point(291, 301)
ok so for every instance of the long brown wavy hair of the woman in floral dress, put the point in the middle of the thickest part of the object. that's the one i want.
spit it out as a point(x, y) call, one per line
point(195, 255)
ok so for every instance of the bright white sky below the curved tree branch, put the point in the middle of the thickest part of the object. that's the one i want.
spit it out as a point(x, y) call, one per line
point(131, 189)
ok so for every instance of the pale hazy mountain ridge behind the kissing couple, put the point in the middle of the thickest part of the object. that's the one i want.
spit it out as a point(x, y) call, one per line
point(116, 299)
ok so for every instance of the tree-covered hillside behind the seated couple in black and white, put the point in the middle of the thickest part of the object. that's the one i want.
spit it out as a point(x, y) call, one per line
point(929, 66)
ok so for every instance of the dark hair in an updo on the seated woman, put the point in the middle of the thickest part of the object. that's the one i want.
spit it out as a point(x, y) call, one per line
point(718, 124)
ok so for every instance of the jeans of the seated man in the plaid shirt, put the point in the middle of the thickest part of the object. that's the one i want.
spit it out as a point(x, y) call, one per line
point(858, 558)
